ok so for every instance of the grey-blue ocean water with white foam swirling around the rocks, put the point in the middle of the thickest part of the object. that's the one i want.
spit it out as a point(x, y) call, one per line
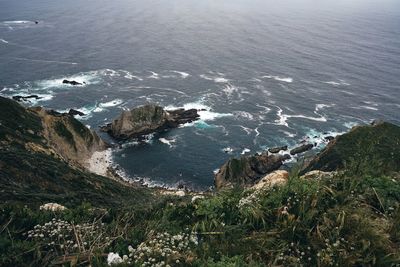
point(267, 72)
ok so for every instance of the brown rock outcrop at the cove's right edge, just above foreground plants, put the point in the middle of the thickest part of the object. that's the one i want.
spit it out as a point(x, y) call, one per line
point(245, 171)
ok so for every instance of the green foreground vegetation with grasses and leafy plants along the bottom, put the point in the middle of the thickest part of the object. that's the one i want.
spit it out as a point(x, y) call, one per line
point(347, 220)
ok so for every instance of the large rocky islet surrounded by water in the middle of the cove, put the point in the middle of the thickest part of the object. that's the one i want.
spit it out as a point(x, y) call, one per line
point(147, 119)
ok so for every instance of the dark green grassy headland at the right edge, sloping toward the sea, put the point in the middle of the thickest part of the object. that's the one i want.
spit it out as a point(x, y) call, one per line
point(363, 145)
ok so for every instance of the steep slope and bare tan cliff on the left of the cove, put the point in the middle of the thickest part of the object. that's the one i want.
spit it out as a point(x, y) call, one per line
point(41, 159)
